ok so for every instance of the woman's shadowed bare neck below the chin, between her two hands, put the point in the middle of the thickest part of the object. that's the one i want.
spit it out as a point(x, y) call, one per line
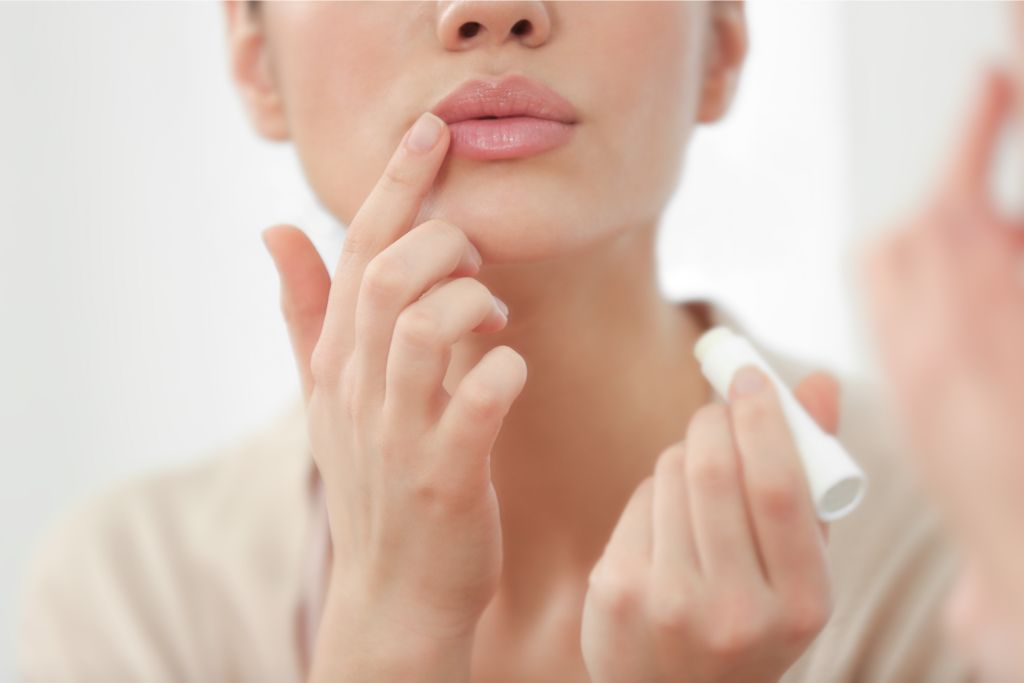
point(612, 381)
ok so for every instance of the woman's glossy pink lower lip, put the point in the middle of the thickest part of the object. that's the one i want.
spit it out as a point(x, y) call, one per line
point(510, 138)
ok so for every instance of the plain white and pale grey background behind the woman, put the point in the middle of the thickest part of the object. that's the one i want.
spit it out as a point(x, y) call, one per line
point(140, 310)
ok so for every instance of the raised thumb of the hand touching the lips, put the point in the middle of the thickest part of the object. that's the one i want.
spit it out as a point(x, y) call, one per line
point(305, 288)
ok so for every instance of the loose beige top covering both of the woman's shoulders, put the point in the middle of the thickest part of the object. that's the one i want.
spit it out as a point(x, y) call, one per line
point(205, 574)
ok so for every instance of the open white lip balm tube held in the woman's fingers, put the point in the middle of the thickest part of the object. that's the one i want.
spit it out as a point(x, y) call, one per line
point(837, 483)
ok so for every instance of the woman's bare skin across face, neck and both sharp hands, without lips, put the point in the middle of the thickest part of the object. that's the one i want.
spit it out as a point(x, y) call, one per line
point(430, 411)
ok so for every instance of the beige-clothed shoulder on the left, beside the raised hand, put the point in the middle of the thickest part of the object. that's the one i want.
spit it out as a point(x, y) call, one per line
point(135, 584)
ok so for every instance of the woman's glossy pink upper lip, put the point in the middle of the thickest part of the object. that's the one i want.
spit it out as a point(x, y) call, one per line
point(515, 96)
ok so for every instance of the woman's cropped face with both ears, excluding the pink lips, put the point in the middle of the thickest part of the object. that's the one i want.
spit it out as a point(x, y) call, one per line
point(346, 80)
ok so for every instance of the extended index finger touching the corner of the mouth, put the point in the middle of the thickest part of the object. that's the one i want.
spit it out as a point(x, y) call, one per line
point(387, 215)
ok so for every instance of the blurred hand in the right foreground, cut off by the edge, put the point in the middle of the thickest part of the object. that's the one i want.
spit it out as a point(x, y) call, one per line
point(948, 304)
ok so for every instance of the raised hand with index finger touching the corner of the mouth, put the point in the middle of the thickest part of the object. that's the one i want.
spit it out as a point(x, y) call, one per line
point(406, 466)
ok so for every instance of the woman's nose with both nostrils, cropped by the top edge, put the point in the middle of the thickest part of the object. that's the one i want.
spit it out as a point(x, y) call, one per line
point(468, 24)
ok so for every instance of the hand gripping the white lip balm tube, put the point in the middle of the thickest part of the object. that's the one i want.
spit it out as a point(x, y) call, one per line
point(716, 571)
